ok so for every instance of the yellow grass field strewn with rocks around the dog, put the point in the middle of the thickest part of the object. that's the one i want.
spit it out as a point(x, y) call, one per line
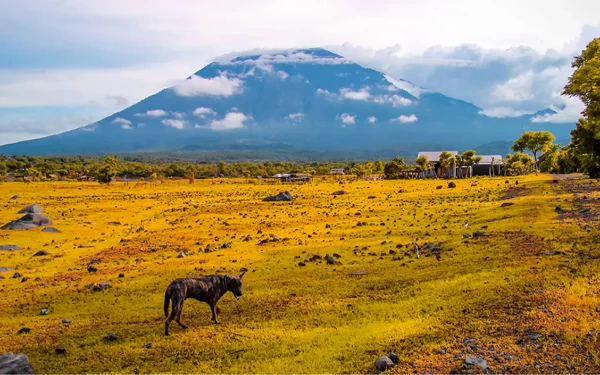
point(525, 296)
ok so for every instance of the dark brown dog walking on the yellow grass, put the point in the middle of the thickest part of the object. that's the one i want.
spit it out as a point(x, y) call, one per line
point(207, 289)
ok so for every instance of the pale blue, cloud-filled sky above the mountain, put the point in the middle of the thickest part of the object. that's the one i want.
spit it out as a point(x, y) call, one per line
point(69, 63)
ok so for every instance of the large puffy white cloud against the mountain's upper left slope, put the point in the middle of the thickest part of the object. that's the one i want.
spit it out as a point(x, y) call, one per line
point(216, 86)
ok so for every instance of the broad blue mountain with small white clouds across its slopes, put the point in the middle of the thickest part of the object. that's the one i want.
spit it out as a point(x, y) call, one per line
point(308, 99)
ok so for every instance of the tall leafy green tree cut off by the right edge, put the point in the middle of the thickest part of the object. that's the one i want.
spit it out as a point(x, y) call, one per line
point(584, 84)
